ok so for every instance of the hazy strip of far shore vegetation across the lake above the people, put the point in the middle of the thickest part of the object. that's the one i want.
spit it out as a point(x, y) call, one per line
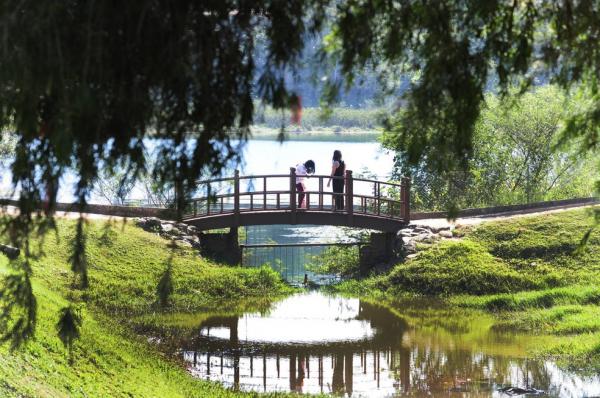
point(314, 118)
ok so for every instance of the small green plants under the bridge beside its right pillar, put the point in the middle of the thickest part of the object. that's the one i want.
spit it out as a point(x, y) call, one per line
point(341, 261)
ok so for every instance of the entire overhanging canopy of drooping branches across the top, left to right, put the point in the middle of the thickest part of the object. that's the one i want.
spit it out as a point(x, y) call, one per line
point(82, 83)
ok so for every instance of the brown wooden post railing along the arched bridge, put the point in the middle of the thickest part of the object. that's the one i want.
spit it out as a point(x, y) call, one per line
point(278, 192)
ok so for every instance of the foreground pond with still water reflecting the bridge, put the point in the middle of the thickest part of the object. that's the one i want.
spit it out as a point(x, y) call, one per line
point(313, 343)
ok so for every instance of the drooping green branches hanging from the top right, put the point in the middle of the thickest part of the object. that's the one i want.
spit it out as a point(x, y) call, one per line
point(458, 49)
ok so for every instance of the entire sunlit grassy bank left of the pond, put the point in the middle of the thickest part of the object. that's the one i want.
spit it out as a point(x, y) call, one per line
point(125, 264)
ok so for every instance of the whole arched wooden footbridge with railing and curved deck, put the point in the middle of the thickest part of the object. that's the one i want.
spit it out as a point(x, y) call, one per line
point(273, 199)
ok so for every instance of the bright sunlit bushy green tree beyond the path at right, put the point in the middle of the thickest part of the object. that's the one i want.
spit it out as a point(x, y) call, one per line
point(525, 135)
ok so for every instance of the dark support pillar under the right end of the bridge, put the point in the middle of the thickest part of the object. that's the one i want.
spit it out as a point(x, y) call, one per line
point(383, 248)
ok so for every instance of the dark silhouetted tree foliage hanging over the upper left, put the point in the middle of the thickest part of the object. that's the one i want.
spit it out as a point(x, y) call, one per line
point(88, 81)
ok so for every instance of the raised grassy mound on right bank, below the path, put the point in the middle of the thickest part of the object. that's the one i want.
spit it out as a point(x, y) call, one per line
point(522, 254)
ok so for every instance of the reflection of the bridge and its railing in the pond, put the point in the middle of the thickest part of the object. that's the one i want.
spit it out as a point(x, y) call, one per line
point(306, 363)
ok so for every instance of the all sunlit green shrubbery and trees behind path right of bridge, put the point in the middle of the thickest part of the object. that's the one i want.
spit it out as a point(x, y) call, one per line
point(516, 158)
